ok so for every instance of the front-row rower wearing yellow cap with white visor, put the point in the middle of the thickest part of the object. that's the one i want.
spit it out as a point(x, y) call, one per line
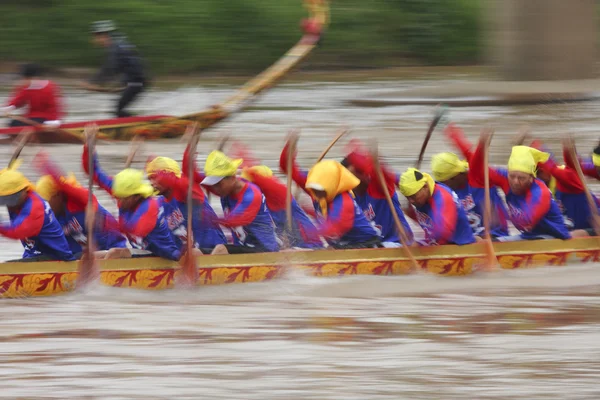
point(244, 206)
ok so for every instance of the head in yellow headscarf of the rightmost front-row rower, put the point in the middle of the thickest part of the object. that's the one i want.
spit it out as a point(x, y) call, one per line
point(522, 167)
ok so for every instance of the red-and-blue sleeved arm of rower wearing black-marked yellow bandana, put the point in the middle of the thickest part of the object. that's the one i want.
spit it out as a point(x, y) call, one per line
point(444, 216)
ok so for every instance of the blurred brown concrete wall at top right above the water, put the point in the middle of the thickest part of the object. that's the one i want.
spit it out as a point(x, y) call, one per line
point(542, 39)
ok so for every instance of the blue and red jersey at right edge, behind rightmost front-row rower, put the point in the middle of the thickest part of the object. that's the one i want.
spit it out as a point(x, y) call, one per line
point(570, 193)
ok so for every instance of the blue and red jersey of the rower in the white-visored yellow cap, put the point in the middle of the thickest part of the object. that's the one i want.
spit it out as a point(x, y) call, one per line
point(249, 219)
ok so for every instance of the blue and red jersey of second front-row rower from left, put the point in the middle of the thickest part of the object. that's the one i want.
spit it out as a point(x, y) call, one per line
point(145, 226)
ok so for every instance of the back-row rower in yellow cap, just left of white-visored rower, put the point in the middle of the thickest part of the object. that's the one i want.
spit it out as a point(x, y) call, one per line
point(165, 176)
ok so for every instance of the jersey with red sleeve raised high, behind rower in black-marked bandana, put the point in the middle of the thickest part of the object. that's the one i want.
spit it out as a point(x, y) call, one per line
point(472, 196)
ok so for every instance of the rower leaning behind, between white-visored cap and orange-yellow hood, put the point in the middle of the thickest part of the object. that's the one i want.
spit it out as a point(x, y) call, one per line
point(304, 234)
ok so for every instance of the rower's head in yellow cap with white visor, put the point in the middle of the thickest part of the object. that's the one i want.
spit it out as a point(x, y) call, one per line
point(220, 173)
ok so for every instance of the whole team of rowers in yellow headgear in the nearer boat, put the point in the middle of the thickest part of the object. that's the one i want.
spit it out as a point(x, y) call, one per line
point(350, 209)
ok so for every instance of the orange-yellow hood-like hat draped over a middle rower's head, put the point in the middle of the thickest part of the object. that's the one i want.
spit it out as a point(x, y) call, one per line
point(332, 178)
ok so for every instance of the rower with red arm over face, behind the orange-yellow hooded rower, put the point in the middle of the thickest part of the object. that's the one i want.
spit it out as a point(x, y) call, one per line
point(371, 197)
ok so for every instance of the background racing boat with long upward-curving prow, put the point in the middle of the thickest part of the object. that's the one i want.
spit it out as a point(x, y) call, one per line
point(164, 126)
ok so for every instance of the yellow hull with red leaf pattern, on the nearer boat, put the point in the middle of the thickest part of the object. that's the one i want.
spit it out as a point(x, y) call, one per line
point(50, 278)
